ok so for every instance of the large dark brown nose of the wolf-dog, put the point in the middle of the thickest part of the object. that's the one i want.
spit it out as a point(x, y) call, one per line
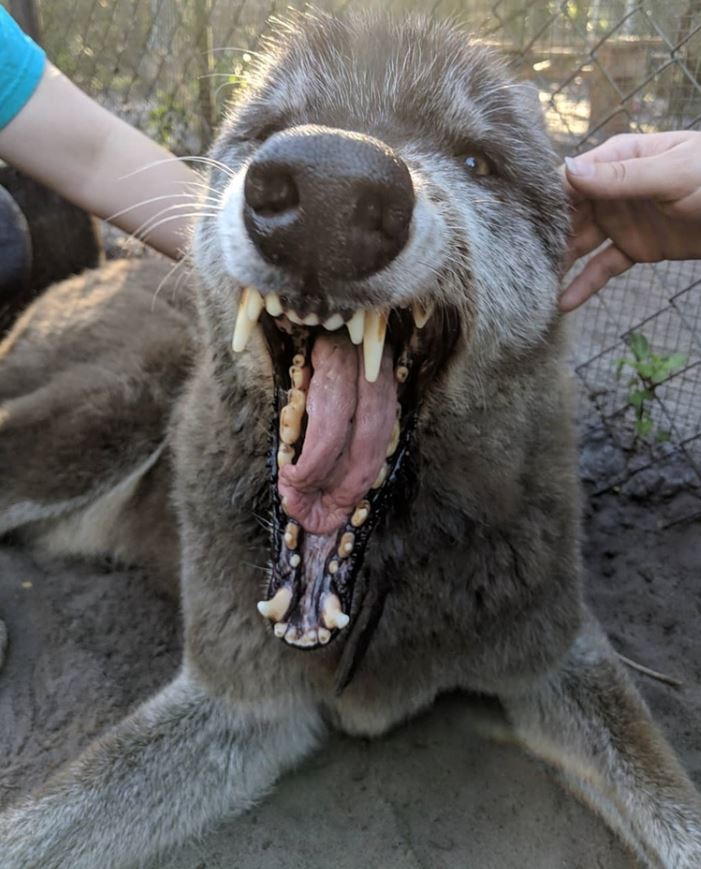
point(328, 203)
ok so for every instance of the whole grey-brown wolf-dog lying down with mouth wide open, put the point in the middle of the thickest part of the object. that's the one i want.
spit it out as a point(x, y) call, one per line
point(369, 395)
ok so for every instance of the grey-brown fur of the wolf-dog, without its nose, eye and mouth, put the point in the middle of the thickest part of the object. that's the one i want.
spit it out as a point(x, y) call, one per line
point(485, 565)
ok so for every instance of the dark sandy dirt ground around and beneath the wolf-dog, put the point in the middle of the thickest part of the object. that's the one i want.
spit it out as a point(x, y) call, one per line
point(86, 643)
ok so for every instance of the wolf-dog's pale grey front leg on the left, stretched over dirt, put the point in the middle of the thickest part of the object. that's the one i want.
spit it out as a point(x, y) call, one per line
point(181, 761)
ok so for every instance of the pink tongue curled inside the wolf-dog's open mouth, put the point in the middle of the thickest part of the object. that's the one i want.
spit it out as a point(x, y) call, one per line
point(350, 422)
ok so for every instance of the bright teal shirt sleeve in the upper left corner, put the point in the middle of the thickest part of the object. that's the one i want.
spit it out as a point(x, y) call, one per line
point(21, 66)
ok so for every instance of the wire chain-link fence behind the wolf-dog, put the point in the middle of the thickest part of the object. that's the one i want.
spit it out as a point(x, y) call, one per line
point(601, 67)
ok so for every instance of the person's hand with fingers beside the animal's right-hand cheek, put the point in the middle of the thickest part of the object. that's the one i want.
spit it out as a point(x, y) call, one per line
point(642, 193)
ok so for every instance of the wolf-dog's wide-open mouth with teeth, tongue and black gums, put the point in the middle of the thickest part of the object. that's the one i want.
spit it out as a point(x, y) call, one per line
point(347, 394)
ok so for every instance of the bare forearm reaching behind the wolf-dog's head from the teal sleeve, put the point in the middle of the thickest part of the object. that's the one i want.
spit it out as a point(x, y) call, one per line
point(68, 142)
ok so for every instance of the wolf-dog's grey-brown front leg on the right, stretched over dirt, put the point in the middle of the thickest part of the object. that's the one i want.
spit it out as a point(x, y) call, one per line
point(587, 719)
